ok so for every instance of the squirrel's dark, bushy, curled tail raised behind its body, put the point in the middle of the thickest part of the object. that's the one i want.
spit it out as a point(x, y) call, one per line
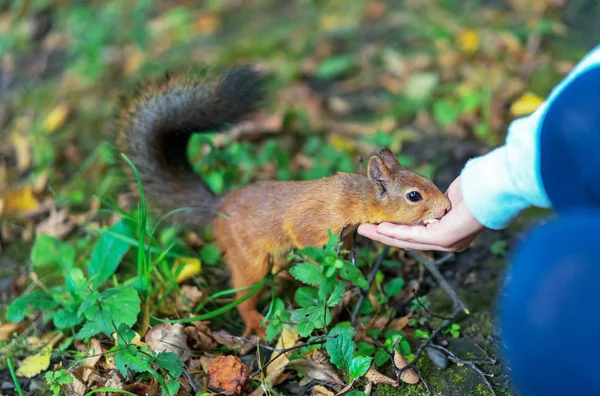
point(155, 125)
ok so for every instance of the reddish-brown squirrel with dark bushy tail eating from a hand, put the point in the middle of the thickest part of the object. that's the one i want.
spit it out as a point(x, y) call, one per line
point(263, 220)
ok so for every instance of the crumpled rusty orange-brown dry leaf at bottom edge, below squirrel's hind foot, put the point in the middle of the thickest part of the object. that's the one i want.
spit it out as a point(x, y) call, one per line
point(228, 375)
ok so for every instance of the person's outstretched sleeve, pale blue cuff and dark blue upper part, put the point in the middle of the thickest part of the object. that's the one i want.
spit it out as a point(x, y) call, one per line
point(542, 153)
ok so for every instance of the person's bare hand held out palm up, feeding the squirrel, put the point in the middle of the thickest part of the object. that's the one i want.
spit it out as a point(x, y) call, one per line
point(453, 233)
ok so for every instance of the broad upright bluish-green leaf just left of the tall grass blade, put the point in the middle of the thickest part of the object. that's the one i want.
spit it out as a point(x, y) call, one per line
point(109, 252)
